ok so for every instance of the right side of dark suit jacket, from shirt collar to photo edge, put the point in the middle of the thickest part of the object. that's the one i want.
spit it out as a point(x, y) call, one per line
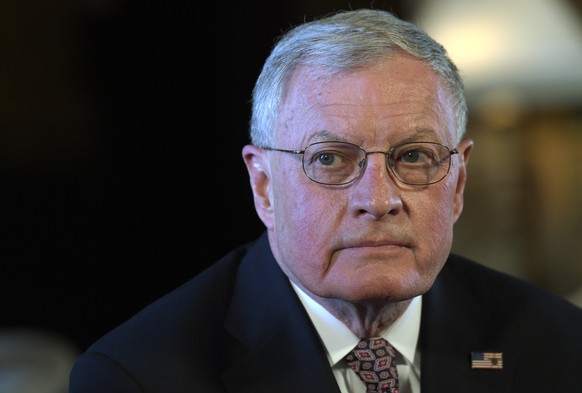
point(472, 307)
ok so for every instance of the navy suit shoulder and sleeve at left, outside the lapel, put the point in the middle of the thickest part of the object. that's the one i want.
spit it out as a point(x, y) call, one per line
point(160, 342)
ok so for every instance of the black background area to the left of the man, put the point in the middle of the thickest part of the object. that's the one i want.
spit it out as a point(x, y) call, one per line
point(121, 131)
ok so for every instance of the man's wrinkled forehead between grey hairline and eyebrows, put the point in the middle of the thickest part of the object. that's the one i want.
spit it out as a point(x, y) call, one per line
point(399, 87)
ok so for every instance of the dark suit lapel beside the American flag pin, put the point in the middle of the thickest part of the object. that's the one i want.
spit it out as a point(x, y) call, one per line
point(454, 323)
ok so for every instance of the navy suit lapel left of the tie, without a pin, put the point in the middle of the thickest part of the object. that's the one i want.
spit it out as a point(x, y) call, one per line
point(284, 350)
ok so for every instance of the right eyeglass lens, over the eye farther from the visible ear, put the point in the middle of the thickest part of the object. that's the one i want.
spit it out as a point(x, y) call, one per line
point(420, 163)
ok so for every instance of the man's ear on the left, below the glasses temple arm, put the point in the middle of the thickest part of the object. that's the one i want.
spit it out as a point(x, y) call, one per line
point(258, 167)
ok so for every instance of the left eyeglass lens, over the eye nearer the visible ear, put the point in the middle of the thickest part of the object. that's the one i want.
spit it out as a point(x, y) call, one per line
point(332, 163)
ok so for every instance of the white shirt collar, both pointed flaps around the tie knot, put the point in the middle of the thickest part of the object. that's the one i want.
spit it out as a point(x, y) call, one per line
point(339, 340)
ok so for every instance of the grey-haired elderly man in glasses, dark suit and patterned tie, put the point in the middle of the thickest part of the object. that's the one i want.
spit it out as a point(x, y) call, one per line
point(357, 166)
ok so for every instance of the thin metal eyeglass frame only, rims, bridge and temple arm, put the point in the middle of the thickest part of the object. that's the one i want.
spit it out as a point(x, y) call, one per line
point(389, 160)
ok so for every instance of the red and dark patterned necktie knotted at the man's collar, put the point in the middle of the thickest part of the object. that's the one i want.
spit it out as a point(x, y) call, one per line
point(374, 360)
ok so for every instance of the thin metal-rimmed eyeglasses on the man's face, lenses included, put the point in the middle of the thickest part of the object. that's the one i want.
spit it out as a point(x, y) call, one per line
point(339, 163)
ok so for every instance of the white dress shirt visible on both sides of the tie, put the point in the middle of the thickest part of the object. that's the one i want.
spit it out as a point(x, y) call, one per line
point(339, 341)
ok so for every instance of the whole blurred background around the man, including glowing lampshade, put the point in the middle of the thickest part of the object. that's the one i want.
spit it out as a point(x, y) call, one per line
point(122, 122)
